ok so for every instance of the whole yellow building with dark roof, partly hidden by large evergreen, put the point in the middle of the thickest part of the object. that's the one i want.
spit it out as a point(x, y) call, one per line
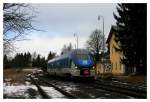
point(118, 68)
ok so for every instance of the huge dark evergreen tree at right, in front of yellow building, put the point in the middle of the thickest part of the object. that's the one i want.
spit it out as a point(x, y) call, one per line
point(131, 21)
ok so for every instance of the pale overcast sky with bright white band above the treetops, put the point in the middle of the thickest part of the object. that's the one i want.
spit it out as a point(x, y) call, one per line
point(61, 21)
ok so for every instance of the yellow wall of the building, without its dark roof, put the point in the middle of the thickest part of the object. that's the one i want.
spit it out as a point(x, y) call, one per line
point(117, 66)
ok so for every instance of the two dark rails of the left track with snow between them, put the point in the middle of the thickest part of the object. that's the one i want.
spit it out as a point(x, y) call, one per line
point(45, 95)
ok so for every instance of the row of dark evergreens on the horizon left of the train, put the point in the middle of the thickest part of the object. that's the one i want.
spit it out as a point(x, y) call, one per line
point(22, 60)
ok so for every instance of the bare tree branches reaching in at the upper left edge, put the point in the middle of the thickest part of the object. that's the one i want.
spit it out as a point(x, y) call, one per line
point(16, 23)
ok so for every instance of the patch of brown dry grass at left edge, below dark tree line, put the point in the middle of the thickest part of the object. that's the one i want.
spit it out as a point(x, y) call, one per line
point(16, 76)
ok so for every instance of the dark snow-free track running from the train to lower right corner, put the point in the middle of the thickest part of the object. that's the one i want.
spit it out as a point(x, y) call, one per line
point(117, 88)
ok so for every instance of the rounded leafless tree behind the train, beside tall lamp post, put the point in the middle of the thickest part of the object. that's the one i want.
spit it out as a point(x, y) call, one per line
point(95, 43)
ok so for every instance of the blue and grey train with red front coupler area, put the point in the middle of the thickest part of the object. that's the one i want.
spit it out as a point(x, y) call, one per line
point(75, 63)
